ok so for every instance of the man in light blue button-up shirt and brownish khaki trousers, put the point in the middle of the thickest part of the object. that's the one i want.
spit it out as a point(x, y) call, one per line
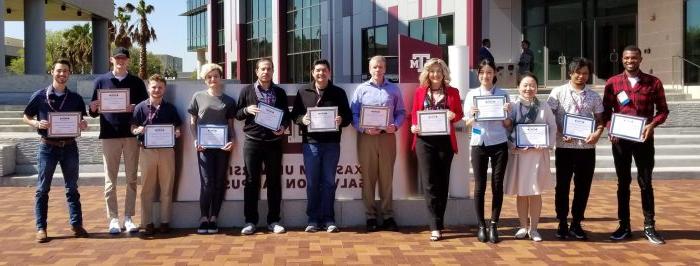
point(376, 146)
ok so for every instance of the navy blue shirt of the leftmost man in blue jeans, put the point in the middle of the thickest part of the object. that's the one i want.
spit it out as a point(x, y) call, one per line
point(38, 105)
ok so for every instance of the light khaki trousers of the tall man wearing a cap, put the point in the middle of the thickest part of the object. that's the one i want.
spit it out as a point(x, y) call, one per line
point(112, 150)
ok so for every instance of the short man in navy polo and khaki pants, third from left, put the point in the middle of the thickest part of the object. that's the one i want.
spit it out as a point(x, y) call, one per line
point(157, 157)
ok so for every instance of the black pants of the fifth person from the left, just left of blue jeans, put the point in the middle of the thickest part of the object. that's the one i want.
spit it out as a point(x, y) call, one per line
point(255, 154)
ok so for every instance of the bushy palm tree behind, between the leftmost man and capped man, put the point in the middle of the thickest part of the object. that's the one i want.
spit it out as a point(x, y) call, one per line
point(79, 46)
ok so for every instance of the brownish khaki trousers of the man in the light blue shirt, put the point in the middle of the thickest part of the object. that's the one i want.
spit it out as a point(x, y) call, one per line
point(377, 155)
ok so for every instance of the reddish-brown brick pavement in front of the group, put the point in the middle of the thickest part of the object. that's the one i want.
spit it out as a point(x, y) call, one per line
point(677, 201)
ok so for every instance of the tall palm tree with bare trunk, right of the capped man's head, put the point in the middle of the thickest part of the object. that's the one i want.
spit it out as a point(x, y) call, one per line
point(143, 34)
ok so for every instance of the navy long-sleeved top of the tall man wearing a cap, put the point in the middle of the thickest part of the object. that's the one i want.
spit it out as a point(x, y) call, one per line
point(118, 125)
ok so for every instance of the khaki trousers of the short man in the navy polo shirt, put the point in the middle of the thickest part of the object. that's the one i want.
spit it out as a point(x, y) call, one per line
point(157, 171)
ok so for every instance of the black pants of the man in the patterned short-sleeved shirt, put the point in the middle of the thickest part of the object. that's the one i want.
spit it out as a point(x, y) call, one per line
point(578, 164)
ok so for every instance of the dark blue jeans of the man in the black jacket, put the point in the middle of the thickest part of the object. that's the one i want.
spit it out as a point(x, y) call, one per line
point(320, 162)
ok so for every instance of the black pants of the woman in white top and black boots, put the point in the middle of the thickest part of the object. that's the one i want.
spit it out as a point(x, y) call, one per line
point(480, 156)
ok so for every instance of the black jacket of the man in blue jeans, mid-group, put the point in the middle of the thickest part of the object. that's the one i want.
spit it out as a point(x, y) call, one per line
point(333, 96)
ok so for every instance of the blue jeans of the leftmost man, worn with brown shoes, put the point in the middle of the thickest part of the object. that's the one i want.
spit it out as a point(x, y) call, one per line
point(49, 156)
